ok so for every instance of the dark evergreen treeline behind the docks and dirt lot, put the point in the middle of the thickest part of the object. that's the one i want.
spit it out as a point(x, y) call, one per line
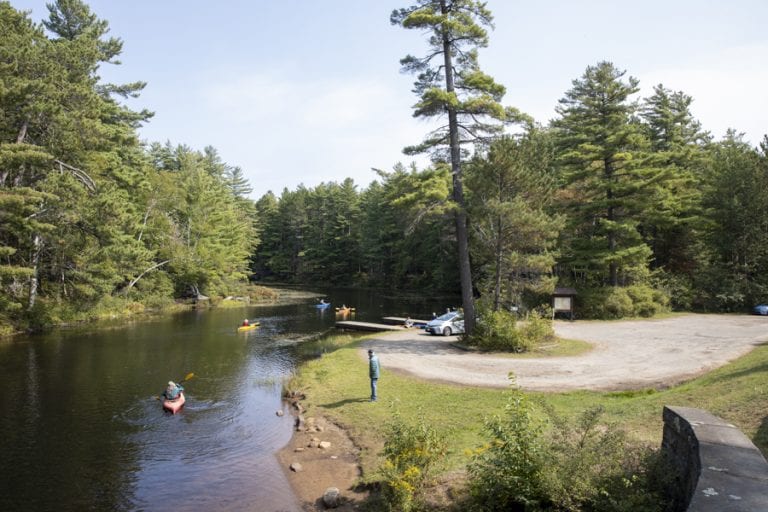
point(626, 199)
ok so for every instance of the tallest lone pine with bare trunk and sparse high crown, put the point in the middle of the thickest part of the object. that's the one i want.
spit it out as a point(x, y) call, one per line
point(451, 83)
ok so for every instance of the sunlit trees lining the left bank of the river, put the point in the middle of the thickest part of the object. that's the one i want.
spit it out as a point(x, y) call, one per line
point(91, 220)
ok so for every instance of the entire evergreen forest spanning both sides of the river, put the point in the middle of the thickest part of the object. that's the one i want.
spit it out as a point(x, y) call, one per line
point(627, 199)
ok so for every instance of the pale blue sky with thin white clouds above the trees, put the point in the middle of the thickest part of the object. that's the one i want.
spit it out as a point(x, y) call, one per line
point(301, 92)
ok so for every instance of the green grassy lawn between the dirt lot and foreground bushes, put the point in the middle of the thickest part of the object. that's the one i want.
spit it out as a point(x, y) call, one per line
point(337, 387)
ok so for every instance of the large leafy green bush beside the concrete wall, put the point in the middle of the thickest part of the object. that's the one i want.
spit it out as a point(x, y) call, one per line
point(566, 467)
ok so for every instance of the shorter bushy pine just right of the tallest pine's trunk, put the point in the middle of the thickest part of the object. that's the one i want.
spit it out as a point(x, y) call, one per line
point(510, 189)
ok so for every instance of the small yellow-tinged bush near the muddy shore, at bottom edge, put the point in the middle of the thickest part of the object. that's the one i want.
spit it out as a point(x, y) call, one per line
point(411, 454)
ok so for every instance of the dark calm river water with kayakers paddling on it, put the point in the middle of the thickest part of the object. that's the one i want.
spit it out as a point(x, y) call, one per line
point(81, 429)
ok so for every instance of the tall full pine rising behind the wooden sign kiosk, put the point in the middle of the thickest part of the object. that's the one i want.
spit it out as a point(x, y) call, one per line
point(606, 177)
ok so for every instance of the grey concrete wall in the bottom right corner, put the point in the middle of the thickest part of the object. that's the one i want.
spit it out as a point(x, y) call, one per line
point(716, 467)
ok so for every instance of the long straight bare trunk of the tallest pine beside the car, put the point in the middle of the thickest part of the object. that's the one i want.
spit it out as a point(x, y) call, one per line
point(465, 271)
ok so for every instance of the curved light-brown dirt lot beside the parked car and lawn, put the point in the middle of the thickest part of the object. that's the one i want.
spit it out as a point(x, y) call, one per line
point(626, 355)
